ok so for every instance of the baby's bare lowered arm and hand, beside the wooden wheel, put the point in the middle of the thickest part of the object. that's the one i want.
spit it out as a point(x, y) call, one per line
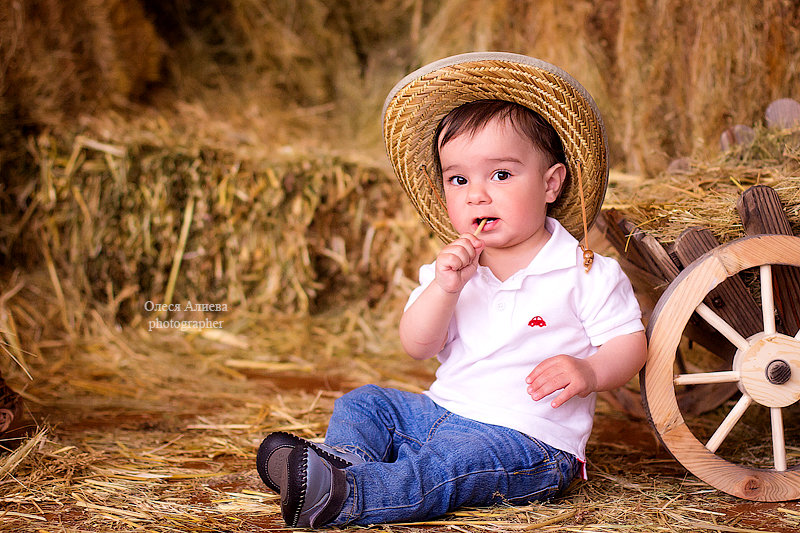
point(614, 363)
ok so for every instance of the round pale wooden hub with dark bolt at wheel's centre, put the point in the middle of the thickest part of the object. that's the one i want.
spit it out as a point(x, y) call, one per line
point(769, 370)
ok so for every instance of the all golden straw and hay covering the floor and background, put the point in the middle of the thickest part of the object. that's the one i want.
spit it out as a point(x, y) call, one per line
point(314, 252)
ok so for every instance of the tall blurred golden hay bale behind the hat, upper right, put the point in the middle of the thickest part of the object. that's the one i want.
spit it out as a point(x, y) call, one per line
point(669, 76)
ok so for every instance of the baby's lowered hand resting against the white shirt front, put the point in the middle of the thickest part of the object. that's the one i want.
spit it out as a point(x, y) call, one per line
point(575, 376)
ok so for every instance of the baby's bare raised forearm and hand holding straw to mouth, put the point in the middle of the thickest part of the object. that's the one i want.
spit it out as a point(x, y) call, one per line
point(423, 326)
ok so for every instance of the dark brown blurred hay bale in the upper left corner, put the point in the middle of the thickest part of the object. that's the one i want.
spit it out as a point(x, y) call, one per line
point(59, 58)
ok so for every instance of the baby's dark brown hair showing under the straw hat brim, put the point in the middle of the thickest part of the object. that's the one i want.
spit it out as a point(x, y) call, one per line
point(470, 117)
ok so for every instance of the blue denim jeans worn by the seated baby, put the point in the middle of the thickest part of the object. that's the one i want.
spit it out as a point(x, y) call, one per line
point(424, 461)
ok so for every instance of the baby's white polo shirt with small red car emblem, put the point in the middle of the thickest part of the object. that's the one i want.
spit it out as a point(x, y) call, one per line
point(501, 330)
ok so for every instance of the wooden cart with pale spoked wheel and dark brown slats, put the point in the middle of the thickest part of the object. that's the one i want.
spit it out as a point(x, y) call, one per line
point(741, 301)
